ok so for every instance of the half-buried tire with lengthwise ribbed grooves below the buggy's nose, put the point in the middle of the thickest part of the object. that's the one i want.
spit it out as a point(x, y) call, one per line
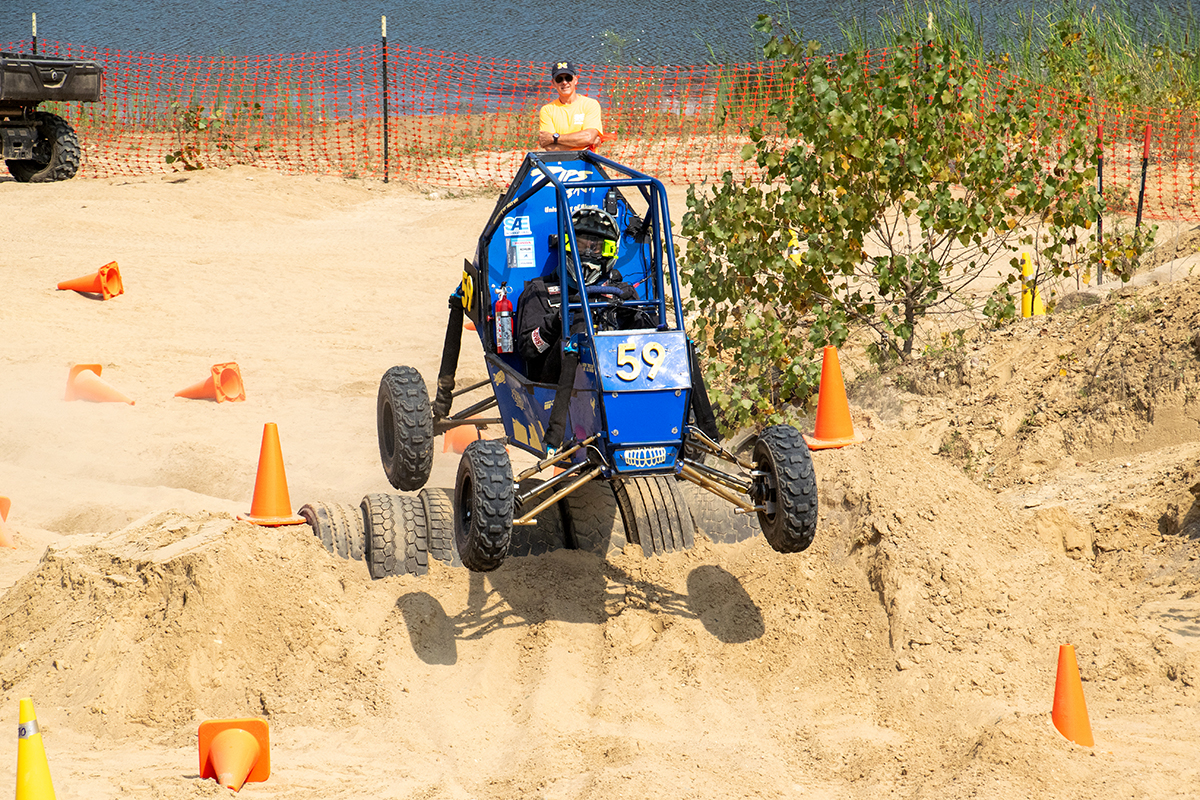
point(656, 514)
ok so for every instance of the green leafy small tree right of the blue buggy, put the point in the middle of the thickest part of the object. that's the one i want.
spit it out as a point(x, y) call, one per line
point(884, 194)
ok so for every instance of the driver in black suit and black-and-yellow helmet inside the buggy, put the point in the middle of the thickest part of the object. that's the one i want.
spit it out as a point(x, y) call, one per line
point(539, 311)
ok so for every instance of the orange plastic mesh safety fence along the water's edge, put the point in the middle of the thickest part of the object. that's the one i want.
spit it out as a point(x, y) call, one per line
point(460, 121)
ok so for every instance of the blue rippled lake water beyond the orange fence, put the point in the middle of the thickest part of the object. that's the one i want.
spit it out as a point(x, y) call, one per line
point(650, 32)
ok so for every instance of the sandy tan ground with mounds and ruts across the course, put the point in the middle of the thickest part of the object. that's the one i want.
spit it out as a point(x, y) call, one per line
point(910, 653)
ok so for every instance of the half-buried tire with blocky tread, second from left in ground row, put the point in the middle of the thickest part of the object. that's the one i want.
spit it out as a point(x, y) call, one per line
point(398, 539)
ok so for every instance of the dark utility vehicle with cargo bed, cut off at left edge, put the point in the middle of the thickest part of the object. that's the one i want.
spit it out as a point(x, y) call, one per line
point(40, 147)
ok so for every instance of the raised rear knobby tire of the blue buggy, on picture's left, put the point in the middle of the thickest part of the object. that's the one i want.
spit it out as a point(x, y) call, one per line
point(405, 420)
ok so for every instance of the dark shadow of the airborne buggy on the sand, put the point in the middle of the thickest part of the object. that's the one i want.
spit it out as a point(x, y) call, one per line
point(508, 599)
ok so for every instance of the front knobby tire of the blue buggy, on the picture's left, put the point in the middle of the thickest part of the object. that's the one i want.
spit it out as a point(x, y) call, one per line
point(483, 501)
